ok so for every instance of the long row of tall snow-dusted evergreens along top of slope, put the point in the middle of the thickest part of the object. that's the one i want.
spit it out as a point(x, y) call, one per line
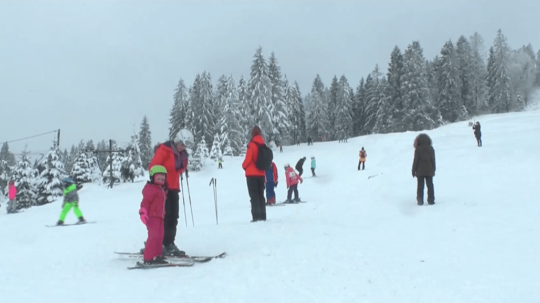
point(414, 94)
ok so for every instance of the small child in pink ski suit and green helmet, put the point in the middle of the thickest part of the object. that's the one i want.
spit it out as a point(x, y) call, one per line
point(152, 214)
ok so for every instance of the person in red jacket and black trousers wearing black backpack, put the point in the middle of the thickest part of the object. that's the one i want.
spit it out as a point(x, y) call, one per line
point(255, 177)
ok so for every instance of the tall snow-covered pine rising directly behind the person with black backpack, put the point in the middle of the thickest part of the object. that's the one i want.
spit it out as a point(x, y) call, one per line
point(260, 96)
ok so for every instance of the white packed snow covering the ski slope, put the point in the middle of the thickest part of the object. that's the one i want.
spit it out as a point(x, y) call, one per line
point(357, 239)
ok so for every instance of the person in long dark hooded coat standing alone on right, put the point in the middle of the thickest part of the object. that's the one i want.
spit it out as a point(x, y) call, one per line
point(424, 168)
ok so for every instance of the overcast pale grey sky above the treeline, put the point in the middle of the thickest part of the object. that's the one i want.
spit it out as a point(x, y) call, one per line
point(94, 68)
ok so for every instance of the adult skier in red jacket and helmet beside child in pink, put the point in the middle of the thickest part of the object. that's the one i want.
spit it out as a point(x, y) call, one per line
point(174, 157)
